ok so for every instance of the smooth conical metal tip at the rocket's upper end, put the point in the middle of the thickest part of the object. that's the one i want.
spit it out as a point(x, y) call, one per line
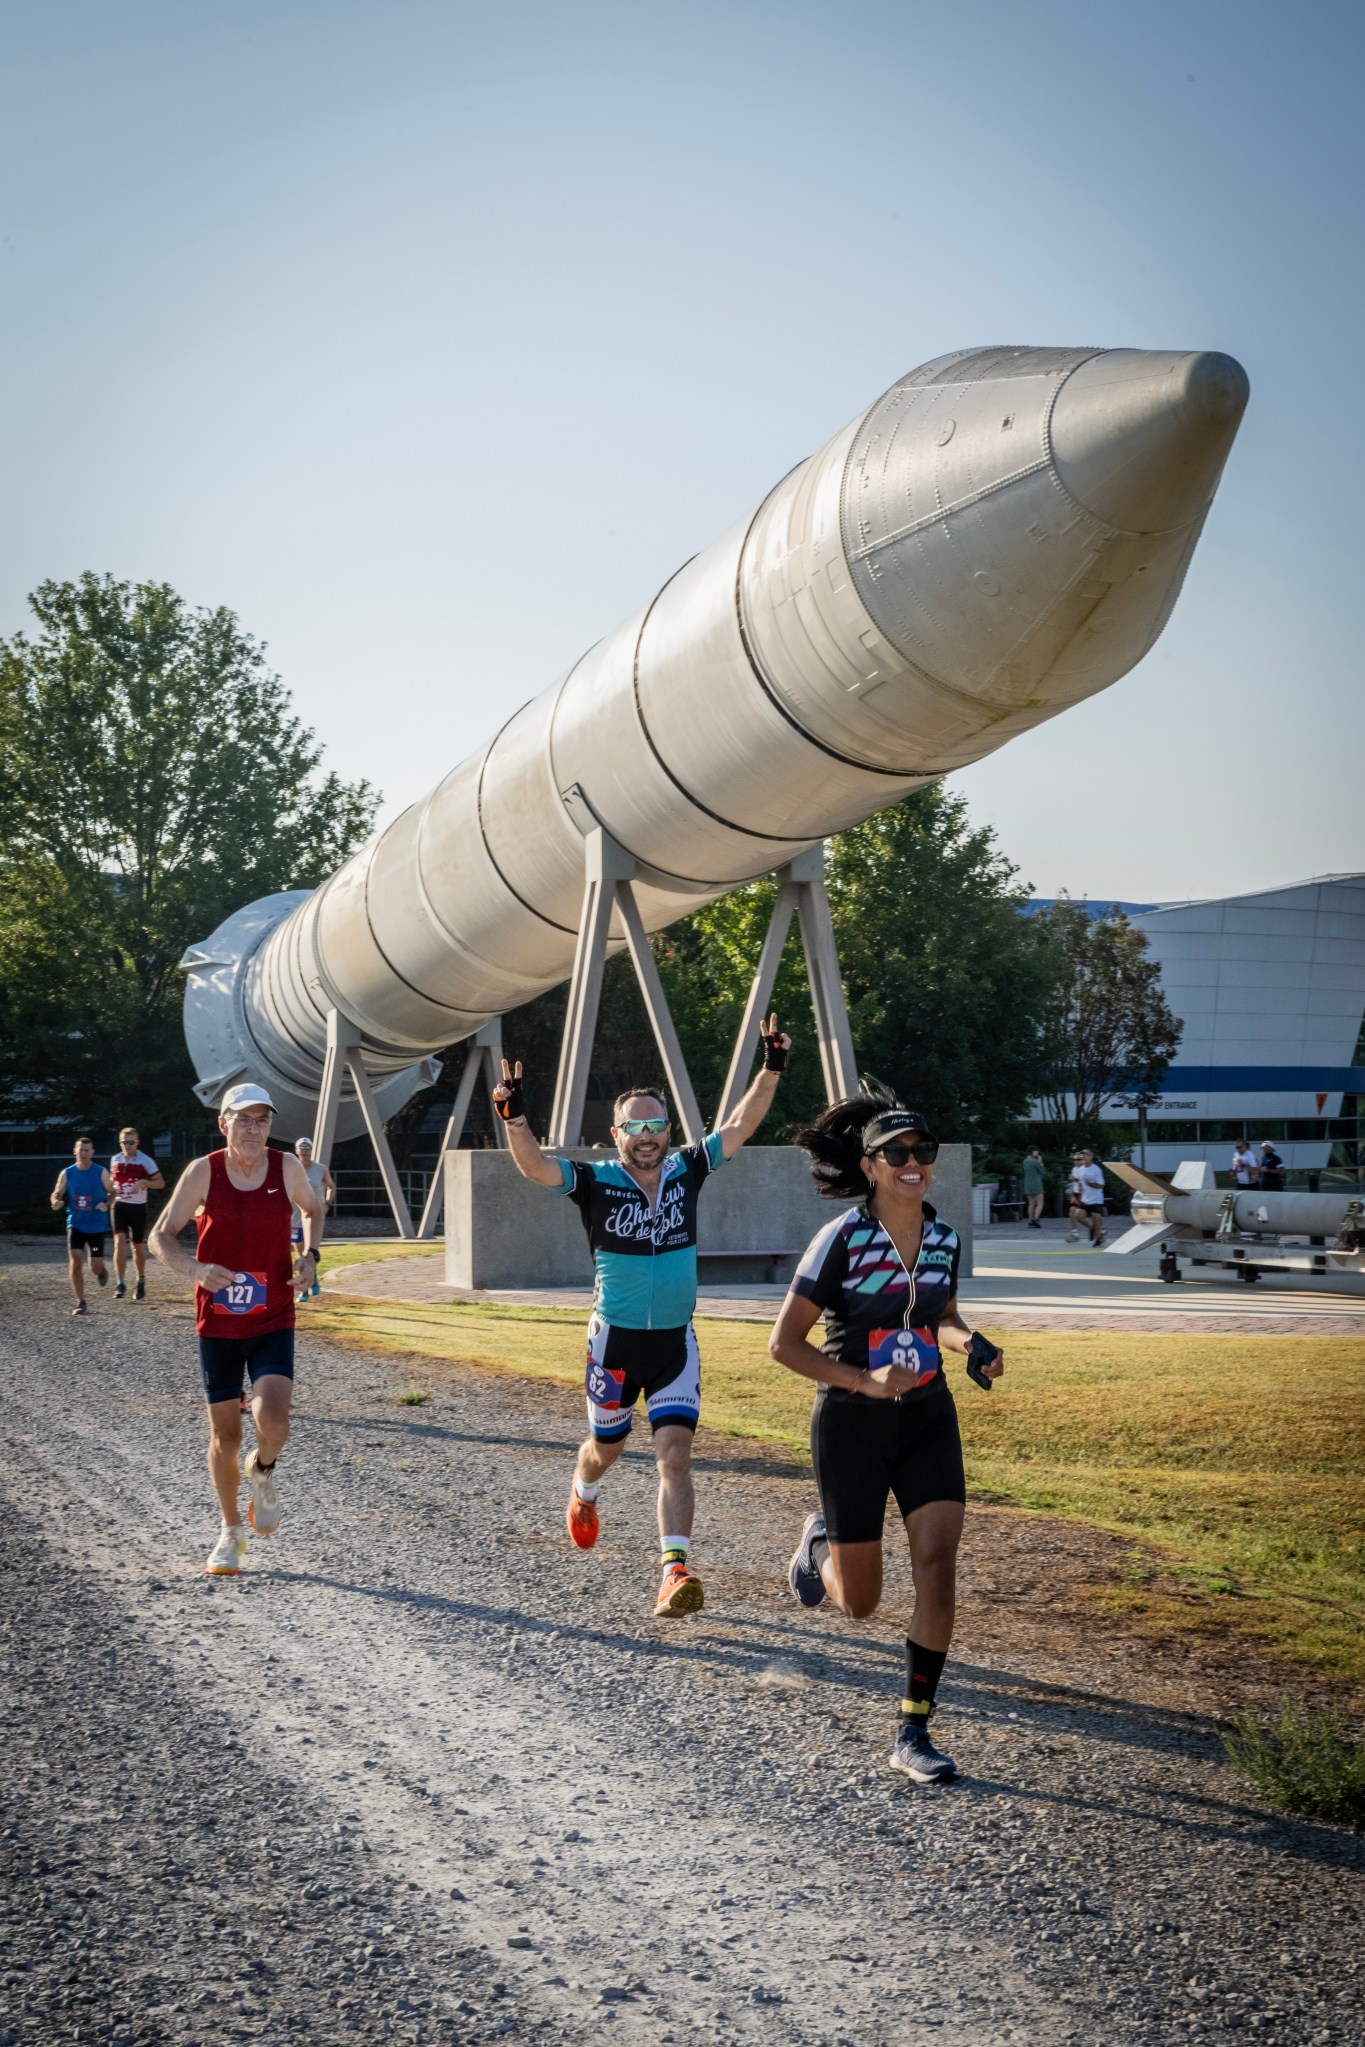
point(1141, 437)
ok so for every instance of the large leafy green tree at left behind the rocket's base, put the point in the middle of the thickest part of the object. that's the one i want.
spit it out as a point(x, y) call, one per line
point(152, 779)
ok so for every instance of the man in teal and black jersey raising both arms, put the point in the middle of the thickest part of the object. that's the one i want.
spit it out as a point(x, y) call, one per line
point(640, 1213)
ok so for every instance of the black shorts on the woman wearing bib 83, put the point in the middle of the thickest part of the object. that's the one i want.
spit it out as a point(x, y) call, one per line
point(865, 1450)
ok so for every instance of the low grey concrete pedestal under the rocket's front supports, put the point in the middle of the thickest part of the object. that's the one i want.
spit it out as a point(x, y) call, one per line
point(754, 1219)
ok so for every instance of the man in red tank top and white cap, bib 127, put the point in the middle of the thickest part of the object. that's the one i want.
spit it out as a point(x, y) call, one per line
point(245, 1297)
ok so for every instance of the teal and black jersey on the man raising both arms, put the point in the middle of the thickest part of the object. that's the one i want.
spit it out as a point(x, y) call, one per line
point(646, 1256)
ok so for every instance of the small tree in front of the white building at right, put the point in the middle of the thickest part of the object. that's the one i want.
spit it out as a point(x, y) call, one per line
point(1110, 1033)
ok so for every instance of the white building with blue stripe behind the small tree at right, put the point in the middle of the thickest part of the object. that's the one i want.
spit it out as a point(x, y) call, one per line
point(1272, 994)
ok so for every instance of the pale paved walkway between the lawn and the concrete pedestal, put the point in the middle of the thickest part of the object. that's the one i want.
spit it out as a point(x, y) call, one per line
point(1022, 1280)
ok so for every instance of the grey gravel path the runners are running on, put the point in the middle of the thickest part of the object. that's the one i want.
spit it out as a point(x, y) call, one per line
point(429, 1776)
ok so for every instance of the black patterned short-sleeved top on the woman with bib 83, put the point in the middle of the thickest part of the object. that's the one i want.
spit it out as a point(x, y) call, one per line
point(875, 1311)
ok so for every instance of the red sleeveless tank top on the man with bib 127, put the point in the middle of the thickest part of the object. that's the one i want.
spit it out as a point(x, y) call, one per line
point(247, 1229)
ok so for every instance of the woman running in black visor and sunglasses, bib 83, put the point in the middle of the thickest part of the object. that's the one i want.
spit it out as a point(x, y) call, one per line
point(885, 1278)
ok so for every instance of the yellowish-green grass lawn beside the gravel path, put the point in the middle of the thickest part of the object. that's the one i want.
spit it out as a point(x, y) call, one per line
point(1233, 1465)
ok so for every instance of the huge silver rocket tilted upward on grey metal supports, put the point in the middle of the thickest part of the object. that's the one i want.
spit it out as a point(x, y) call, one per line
point(998, 537)
